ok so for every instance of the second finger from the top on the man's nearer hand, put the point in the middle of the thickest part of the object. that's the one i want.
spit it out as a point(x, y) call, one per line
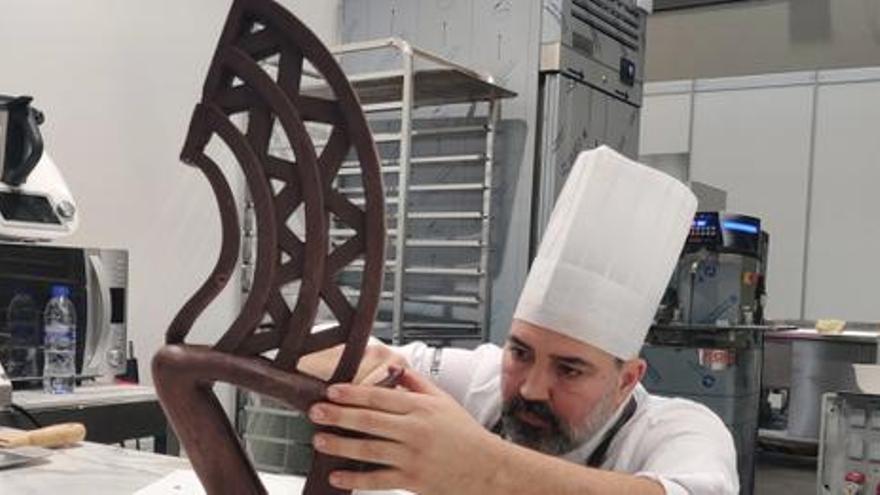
point(377, 423)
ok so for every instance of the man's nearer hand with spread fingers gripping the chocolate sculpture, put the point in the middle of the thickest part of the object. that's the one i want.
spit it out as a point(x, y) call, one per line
point(428, 441)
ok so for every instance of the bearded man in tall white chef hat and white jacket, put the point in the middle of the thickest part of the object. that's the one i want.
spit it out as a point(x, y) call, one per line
point(560, 409)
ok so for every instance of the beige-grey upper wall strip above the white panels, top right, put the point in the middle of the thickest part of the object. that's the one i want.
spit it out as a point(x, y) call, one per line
point(759, 37)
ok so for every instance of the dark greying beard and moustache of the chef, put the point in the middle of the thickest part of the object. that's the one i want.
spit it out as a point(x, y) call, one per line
point(557, 437)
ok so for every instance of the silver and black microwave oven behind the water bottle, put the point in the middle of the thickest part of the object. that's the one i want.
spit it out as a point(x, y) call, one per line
point(98, 279)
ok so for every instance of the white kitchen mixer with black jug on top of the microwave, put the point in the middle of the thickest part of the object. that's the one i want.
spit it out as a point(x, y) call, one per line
point(35, 203)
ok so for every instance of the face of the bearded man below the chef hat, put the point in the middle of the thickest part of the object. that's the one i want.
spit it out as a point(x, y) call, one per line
point(557, 392)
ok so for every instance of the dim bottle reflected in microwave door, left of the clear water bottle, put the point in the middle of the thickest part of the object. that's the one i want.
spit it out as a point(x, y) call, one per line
point(22, 322)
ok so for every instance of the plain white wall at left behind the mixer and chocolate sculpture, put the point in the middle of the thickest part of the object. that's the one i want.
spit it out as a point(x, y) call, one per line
point(117, 81)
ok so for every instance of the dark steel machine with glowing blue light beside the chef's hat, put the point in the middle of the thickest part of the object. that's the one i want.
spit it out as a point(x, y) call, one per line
point(708, 345)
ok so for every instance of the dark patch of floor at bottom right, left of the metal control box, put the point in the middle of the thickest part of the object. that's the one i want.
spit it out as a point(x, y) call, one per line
point(777, 474)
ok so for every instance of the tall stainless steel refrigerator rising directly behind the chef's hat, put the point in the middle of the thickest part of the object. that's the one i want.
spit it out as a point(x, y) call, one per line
point(591, 76)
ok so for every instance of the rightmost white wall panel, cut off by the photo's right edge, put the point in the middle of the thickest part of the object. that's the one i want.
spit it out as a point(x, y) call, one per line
point(843, 273)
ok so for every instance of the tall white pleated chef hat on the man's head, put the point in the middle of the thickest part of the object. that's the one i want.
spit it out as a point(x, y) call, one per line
point(609, 249)
